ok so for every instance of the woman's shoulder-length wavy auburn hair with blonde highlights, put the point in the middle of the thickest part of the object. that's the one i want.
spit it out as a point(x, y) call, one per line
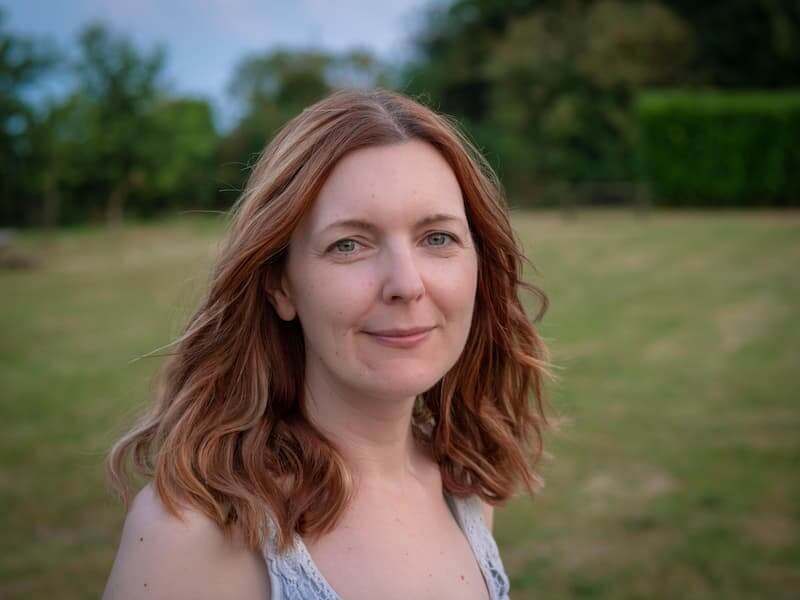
point(228, 433)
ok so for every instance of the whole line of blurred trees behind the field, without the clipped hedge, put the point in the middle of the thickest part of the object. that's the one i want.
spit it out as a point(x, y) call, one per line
point(545, 87)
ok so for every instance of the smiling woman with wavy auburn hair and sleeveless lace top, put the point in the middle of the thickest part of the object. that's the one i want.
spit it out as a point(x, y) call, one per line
point(351, 398)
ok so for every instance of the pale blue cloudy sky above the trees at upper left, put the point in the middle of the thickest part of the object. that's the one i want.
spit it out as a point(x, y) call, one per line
point(206, 38)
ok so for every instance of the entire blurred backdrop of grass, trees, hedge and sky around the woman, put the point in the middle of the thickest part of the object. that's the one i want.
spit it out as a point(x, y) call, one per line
point(649, 150)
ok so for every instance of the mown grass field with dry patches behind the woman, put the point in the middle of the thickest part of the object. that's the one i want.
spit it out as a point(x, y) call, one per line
point(675, 474)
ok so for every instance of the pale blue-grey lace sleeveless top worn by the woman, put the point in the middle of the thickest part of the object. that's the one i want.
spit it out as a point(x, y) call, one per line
point(294, 576)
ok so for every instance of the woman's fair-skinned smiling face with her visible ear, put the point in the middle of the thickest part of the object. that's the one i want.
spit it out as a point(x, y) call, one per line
point(386, 245)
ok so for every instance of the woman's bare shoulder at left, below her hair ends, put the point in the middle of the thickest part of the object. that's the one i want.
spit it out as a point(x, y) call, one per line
point(181, 556)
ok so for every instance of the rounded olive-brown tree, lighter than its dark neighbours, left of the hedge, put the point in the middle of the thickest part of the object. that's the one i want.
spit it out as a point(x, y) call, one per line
point(565, 79)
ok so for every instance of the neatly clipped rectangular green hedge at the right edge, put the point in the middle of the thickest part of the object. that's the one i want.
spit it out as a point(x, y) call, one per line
point(720, 148)
